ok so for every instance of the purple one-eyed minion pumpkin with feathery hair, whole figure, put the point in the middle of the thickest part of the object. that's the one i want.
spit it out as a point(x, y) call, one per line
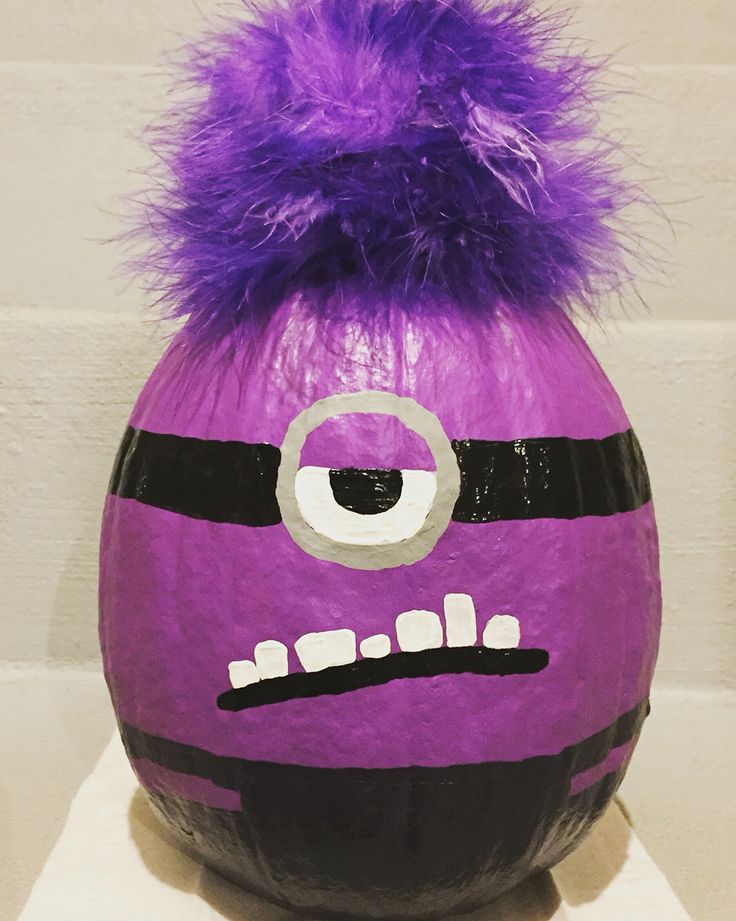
point(379, 584)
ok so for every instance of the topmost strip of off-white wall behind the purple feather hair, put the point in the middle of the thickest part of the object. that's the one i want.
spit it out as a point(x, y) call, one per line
point(680, 32)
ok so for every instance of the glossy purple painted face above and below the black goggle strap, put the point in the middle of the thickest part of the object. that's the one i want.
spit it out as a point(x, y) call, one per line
point(181, 598)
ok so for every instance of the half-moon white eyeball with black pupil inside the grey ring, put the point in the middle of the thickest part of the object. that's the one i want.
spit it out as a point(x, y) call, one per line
point(365, 507)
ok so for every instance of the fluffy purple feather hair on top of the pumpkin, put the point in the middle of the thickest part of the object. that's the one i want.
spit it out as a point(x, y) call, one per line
point(409, 152)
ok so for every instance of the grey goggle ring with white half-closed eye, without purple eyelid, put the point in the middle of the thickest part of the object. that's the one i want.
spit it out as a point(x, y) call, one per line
point(367, 518)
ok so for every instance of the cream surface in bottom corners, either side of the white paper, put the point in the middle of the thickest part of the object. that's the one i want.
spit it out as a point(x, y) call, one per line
point(679, 789)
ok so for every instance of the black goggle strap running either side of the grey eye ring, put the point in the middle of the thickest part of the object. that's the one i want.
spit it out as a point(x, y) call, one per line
point(233, 482)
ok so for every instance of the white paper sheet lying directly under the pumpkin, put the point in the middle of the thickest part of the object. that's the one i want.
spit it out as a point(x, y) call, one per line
point(115, 861)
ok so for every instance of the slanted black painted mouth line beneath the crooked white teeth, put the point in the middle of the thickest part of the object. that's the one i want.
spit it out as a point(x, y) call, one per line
point(340, 679)
